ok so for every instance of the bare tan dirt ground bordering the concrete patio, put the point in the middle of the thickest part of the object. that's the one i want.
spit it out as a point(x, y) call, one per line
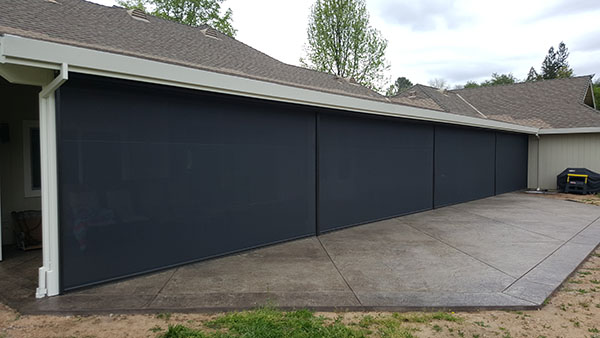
point(573, 311)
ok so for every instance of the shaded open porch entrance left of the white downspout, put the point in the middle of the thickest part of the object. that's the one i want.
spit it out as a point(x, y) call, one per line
point(20, 185)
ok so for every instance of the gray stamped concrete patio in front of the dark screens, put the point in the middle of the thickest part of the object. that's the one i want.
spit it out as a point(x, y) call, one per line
point(508, 251)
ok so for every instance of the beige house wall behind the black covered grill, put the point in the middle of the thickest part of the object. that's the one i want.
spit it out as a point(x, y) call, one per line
point(558, 152)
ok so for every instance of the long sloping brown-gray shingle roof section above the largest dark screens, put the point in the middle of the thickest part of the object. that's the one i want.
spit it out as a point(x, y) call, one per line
point(112, 29)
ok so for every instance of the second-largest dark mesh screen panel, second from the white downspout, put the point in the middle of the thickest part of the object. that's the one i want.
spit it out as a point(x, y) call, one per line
point(372, 168)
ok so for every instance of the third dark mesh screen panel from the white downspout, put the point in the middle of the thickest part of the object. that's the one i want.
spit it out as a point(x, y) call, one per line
point(464, 164)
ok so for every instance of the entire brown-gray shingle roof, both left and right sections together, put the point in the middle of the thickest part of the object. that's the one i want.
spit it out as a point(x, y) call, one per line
point(542, 104)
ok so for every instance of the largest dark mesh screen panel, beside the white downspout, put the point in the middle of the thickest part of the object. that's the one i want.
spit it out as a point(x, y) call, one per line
point(152, 177)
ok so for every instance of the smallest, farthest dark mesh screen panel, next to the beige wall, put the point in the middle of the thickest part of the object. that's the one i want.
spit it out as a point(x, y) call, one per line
point(511, 162)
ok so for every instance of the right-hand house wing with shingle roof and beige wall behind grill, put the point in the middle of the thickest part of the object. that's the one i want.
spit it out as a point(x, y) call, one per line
point(562, 109)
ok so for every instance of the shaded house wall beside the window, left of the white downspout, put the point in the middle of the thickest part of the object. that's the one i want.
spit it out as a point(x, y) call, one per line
point(19, 103)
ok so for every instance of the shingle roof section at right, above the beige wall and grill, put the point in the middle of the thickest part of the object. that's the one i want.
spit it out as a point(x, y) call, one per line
point(542, 104)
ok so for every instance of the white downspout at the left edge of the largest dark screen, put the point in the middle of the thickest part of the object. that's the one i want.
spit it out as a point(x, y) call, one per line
point(48, 273)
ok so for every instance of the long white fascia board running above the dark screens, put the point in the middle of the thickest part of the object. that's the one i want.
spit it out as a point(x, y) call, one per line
point(38, 53)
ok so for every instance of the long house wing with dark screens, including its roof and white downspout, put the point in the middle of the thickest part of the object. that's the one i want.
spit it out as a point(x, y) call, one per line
point(162, 144)
